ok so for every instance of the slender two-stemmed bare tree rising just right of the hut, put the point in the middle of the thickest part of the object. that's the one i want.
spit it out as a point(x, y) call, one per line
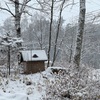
point(50, 7)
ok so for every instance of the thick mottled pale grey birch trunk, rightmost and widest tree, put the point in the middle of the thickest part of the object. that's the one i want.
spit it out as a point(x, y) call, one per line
point(77, 57)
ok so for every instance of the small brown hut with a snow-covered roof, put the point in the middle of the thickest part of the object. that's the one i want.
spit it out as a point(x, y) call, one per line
point(32, 60)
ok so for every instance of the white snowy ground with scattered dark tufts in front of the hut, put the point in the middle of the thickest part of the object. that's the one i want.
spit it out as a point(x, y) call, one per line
point(28, 87)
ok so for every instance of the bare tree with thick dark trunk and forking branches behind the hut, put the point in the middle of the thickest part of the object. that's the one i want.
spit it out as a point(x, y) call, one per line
point(18, 13)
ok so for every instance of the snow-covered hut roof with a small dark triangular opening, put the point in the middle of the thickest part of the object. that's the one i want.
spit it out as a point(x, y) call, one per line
point(34, 55)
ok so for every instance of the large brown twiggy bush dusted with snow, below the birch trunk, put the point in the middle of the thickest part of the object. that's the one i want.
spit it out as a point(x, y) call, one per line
point(75, 84)
